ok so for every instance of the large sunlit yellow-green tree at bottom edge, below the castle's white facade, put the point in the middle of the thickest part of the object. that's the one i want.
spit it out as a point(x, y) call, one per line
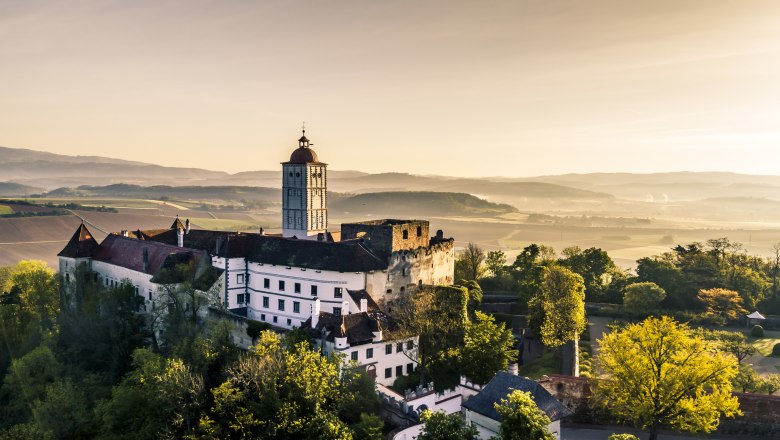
point(276, 392)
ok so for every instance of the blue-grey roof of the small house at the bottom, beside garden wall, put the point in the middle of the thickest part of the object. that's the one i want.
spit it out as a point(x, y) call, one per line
point(504, 383)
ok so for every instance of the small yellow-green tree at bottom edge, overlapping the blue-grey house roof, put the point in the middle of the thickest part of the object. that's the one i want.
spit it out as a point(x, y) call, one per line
point(521, 419)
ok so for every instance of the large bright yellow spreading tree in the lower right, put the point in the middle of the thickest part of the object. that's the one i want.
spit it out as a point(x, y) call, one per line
point(658, 374)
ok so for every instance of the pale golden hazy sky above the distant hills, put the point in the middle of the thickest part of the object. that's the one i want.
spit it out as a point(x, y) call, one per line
point(472, 88)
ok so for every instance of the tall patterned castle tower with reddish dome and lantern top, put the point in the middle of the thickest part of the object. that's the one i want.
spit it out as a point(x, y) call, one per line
point(304, 193)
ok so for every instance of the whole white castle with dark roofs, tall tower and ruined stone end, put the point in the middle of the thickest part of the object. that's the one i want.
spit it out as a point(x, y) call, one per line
point(337, 284)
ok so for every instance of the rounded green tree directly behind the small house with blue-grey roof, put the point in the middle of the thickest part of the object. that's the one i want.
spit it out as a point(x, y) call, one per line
point(487, 349)
